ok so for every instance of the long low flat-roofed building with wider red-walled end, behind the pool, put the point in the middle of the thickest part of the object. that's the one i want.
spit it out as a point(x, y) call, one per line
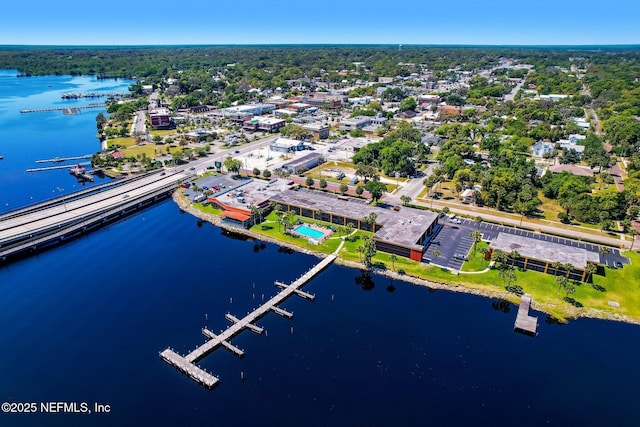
point(402, 232)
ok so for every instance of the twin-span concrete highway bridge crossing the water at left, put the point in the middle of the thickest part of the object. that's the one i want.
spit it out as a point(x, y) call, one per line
point(52, 222)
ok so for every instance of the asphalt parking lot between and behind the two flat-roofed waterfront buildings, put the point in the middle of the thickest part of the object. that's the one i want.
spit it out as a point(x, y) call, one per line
point(456, 239)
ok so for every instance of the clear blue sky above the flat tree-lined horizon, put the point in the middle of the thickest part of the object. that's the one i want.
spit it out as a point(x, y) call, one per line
point(133, 22)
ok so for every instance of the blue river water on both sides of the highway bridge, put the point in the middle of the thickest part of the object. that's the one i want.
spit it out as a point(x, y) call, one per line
point(84, 322)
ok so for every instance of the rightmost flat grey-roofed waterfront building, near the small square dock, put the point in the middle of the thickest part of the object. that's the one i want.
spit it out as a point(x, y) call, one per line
point(539, 255)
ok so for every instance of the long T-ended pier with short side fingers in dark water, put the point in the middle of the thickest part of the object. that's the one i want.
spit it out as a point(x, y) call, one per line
point(187, 363)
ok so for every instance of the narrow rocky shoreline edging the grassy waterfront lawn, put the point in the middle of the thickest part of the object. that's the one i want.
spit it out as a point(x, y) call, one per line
point(460, 288)
